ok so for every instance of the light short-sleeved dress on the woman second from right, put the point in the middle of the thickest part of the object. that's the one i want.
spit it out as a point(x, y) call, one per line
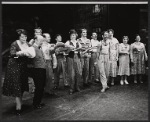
point(124, 60)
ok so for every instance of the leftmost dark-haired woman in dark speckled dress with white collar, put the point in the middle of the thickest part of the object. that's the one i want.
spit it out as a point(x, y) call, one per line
point(16, 79)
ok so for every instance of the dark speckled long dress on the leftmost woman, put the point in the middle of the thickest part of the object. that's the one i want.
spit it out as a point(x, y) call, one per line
point(16, 77)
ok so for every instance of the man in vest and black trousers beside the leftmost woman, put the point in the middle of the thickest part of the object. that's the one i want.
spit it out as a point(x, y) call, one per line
point(39, 72)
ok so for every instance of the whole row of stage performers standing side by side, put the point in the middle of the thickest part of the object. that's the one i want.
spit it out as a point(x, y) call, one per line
point(78, 60)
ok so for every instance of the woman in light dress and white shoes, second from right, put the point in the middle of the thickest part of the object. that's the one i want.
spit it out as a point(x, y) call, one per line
point(124, 60)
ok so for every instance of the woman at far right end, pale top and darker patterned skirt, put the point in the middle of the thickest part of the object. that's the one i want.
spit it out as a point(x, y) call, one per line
point(138, 58)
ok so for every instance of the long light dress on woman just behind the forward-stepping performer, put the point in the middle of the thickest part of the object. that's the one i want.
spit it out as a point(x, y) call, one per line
point(113, 57)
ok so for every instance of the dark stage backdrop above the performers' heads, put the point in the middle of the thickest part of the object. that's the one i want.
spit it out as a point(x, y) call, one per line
point(125, 19)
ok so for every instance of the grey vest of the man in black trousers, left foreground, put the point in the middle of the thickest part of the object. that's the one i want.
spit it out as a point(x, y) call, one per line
point(38, 60)
